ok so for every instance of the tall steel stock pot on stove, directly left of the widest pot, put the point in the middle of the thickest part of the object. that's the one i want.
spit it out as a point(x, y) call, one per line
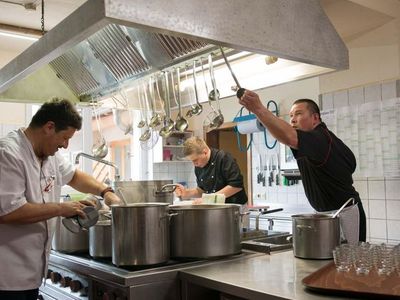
point(140, 234)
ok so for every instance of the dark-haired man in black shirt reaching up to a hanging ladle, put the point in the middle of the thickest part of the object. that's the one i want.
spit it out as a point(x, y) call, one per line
point(325, 163)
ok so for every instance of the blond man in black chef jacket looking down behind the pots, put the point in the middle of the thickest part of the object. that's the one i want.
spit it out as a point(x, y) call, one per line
point(216, 172)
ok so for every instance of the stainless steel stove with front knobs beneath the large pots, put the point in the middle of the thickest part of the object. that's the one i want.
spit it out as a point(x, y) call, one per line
point(79, 276)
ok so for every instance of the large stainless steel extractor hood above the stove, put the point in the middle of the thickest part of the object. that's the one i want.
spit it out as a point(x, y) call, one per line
point(105, 43)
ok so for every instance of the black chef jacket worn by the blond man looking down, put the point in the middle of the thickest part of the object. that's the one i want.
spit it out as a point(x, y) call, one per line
point(220, 171)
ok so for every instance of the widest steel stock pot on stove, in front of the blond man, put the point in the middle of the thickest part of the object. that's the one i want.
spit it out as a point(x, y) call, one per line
point(205, 231)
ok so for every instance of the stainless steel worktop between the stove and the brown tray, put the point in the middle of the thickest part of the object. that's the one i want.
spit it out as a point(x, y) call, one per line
point(275, 276)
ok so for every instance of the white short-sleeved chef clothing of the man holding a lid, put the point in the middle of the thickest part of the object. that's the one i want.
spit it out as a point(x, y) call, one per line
point(24, 248)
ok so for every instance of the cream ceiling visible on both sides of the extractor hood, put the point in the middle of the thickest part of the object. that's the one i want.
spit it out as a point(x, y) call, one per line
point(350, 18)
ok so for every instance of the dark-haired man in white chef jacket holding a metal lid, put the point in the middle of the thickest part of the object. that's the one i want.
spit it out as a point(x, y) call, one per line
point(31, 176)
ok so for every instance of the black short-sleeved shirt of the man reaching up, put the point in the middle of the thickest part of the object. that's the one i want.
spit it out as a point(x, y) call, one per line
point(326, 166)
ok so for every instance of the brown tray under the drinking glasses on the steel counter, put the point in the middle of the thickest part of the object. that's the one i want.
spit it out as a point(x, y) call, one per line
point(328, 280)
